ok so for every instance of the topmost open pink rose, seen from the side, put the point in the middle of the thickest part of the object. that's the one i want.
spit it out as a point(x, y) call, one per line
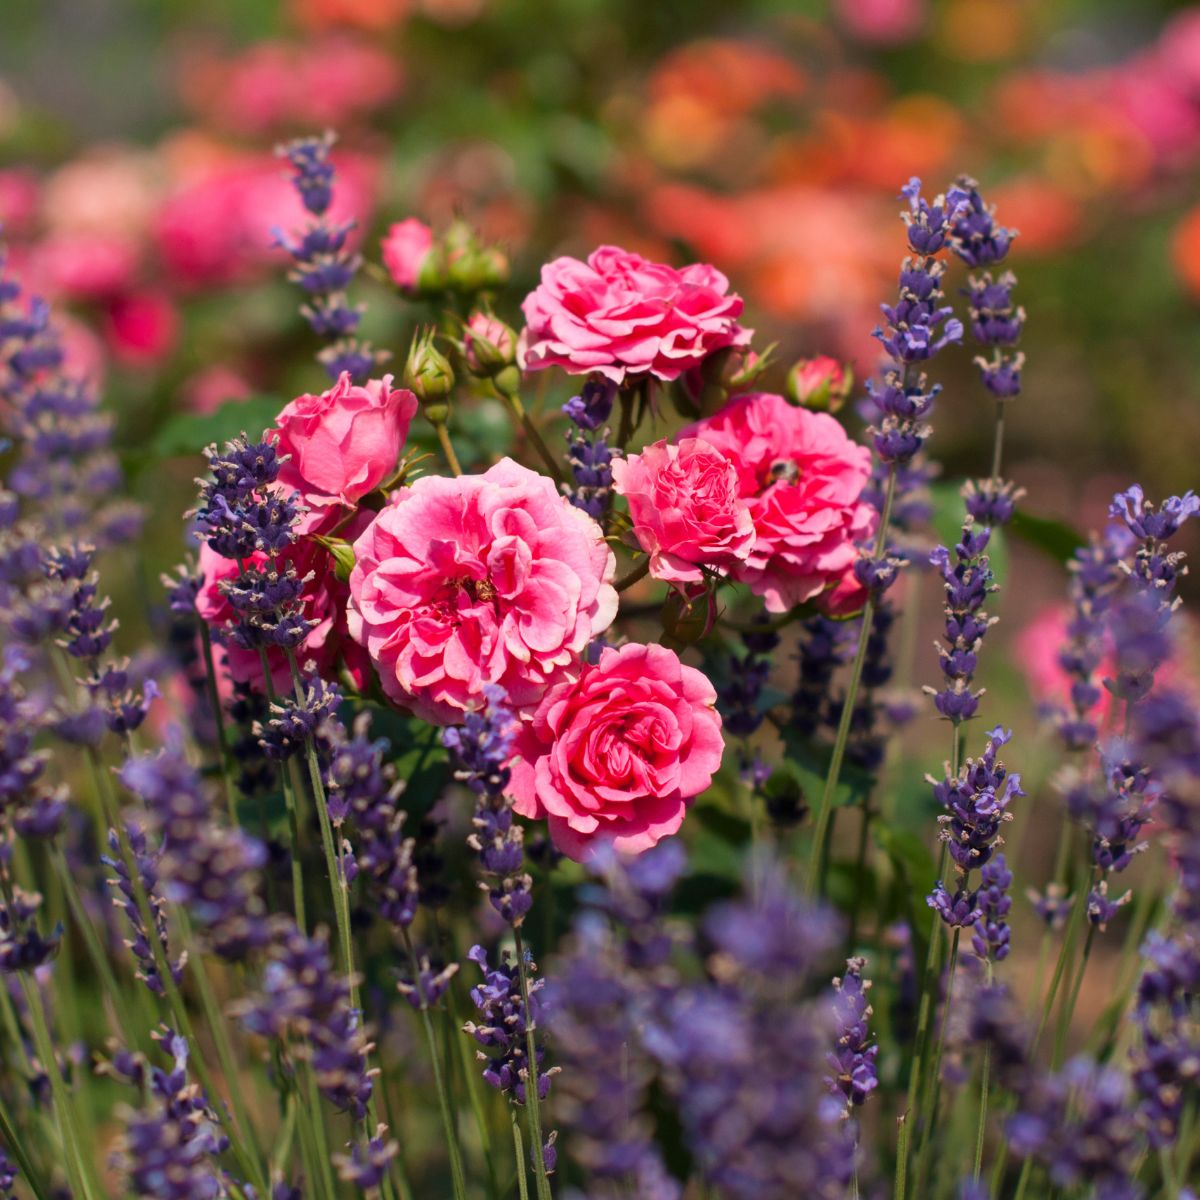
point(620, 315)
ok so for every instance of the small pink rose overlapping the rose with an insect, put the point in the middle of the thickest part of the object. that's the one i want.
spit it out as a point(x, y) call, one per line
point(687, 509)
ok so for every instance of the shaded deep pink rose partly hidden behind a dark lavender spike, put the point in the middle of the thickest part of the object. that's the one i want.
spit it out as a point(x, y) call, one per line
point(325, 599)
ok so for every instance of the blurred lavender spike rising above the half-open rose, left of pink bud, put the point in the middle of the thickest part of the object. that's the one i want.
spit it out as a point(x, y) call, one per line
point(325, 266)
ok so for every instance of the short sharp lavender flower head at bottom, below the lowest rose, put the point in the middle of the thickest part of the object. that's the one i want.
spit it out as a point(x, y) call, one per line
point(503, 1025)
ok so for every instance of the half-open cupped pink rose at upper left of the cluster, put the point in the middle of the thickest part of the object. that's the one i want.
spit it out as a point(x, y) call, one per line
point(345, 442)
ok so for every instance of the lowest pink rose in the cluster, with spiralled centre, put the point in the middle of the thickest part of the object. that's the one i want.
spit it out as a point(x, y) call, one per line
point(616, 757)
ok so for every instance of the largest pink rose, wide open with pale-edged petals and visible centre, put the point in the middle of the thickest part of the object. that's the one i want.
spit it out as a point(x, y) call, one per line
point(483, 579)
